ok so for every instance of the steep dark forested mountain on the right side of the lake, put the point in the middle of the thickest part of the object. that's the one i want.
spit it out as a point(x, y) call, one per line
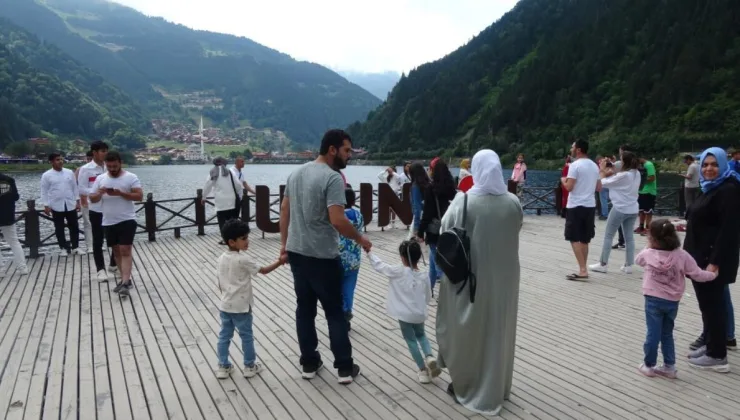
point(661, 74)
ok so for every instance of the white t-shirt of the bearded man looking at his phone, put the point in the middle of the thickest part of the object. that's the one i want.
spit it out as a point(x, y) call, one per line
point(117, 209)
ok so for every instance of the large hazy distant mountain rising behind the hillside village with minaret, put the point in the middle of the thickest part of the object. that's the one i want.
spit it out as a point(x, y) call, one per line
point(164, 66)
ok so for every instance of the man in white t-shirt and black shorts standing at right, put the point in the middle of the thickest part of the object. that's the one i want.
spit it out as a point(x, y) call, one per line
point(582, 182)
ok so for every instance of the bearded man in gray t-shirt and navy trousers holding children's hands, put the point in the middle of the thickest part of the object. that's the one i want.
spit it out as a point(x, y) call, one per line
point(311, 220)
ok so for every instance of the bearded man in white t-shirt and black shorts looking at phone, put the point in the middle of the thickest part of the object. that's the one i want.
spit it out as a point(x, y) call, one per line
point(118, 190)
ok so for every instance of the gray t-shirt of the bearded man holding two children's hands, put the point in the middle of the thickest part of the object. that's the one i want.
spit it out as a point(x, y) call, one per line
point(312, 189)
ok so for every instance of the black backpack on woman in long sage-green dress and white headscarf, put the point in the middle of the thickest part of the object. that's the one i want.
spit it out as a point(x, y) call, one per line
point(453, 255)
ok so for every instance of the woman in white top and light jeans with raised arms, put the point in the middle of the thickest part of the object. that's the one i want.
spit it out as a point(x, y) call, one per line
point(623, 189)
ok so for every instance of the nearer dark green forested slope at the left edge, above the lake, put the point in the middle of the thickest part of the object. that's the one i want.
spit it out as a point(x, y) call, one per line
point(41, 88)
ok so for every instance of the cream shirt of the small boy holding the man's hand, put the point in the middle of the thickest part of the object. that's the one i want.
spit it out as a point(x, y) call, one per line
point(235, 272)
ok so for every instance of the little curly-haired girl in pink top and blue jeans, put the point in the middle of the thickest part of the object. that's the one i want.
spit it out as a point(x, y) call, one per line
point(666, 267)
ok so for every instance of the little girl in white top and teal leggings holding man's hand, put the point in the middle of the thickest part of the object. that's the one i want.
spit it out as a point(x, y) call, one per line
point(408, 296)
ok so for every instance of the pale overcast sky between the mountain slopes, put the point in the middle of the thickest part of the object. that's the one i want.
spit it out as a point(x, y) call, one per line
point(366, 36)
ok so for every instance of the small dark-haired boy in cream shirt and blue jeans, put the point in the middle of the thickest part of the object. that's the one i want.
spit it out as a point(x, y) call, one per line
point(235, 271)
